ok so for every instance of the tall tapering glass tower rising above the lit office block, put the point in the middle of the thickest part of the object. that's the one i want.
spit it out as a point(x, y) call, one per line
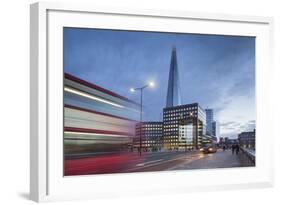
point(173, 93)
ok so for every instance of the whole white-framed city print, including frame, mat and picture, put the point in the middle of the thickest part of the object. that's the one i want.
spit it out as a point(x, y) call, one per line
point(127, 102)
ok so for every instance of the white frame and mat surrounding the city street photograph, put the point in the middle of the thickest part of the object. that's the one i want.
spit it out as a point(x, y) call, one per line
point(46, 177)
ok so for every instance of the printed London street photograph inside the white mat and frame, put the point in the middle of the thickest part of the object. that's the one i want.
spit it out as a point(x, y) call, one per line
point(147, 101)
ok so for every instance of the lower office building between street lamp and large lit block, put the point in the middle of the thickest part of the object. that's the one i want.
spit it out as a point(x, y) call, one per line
point(152, 136)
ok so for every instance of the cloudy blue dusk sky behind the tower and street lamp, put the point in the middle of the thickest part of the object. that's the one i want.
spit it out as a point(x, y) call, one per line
point(216, 71)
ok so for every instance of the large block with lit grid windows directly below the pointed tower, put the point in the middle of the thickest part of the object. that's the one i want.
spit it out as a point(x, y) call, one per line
point(183, 126)
